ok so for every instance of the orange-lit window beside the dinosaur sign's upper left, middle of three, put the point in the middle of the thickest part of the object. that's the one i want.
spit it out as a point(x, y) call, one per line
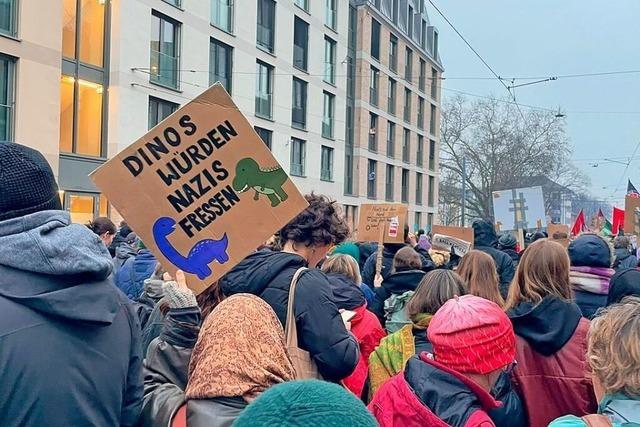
point(80, 116)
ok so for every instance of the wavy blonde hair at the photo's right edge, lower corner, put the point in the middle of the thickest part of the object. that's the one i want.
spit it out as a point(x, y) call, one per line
point(614, 347)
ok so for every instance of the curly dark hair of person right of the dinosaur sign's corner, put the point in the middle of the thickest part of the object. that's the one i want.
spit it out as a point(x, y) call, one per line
point(321, 223)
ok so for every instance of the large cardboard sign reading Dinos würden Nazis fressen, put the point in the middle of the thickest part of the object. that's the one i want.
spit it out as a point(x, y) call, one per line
point(201, 189)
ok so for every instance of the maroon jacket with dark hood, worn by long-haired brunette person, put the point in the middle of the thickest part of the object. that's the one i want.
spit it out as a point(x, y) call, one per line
point(552, 376)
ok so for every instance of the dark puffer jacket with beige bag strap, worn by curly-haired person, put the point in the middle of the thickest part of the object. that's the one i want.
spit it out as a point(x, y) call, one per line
point(321, 330)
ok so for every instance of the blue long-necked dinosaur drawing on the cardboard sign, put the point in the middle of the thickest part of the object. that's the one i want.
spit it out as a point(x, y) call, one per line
point(200, 256)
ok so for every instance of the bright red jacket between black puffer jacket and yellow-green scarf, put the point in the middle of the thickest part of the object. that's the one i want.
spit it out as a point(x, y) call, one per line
point(366, 327)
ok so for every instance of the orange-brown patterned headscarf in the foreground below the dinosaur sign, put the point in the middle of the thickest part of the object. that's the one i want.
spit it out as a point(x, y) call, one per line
point(241, 351)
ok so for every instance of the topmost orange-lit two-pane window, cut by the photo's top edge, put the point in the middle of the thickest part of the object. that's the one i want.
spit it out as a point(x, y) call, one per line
point(88, 29)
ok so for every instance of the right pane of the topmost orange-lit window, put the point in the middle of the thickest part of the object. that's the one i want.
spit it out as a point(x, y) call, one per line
point(92, 32)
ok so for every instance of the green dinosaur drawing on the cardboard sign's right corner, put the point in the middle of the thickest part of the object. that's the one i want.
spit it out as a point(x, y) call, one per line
point(263, 181)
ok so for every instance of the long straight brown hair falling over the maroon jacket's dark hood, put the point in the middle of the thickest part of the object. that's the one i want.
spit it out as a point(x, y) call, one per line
point(543, 270)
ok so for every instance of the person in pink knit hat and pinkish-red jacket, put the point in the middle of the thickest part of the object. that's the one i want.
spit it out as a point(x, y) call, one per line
point(473, 345)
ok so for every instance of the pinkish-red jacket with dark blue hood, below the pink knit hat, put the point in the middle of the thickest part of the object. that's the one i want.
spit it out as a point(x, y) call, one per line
point(430, 394)
